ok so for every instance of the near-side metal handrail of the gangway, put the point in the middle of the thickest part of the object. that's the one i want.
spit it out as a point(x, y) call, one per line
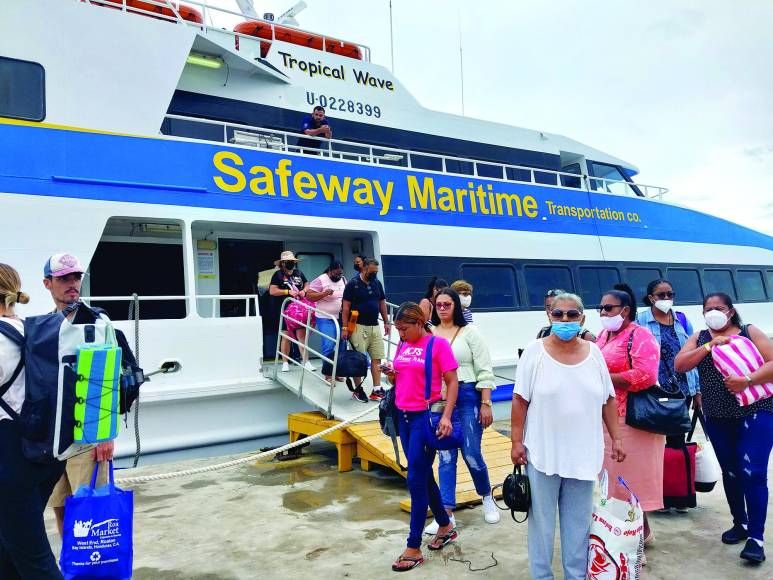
point(306, 349)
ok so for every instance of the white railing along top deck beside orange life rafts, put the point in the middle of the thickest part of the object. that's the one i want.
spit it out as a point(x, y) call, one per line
point(207, 10)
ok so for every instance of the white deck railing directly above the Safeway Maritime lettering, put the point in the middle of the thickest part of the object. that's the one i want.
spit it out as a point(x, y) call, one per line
point(353, 151)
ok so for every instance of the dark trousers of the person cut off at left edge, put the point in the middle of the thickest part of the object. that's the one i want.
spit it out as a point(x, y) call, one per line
point(24, 491)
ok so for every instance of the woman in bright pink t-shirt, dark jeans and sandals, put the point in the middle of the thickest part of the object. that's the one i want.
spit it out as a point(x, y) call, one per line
point(409, 378)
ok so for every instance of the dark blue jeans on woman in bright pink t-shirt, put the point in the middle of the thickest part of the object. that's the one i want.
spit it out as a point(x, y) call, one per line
point(421, 481)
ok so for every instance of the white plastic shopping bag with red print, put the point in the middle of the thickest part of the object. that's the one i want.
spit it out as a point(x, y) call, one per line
point(616, 537)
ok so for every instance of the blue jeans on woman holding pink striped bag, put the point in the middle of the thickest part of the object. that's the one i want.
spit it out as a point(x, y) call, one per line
point(743, 449)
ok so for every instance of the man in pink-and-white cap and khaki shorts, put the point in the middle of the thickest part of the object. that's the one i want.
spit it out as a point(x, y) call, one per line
point(63, 276)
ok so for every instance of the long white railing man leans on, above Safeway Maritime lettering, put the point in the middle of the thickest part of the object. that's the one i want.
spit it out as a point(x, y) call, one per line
point(377, 155)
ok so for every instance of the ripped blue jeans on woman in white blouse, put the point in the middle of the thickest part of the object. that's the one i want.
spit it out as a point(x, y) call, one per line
point(468, 408)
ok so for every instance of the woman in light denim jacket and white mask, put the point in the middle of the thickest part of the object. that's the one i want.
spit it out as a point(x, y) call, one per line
point(671, 329)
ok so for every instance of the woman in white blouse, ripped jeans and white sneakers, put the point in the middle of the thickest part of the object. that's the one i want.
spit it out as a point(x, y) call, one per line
point(476, 381)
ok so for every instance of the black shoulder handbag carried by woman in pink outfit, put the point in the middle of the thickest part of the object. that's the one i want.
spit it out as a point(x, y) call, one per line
point(655, 409)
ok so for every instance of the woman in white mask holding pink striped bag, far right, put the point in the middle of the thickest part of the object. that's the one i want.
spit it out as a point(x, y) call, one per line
point(742, 436)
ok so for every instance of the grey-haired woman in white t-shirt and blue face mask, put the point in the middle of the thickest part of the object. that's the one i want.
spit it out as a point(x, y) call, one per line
point(562, 393)
